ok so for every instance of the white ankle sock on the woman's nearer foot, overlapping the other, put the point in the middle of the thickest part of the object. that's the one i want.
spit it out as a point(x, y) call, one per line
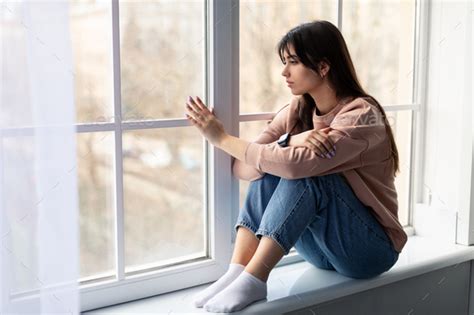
point(243, 291)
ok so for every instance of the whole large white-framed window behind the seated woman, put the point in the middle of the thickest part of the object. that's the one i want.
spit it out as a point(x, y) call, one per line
point(155, 199)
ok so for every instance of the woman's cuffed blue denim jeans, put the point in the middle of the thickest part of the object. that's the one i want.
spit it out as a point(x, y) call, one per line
point(323, 219)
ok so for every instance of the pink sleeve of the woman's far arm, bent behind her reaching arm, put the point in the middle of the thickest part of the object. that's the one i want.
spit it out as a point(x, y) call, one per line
point(274, 129)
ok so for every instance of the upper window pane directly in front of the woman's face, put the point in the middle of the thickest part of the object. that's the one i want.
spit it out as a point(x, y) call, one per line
point(262, 24)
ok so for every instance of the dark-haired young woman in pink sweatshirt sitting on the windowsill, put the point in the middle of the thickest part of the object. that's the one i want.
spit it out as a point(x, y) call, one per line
point(322, 174)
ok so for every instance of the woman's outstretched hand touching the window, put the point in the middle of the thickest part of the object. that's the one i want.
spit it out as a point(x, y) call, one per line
point(200, 116)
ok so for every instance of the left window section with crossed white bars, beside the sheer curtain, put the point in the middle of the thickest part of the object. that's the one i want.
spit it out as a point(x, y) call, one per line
point(142, 187)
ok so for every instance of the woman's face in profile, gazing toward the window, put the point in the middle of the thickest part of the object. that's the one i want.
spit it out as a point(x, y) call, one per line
point(299, 78)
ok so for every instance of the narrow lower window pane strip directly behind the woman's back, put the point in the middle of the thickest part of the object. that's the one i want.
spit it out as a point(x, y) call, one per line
point(400, 122)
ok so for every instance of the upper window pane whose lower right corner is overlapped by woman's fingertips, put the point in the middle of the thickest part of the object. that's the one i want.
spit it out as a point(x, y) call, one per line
point(162, 57)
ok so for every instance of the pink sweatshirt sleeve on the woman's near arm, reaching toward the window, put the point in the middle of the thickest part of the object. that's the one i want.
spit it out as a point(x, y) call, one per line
point(352, 131)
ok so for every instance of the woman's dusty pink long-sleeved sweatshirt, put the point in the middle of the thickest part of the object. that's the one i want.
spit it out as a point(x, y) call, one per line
point(357, 129)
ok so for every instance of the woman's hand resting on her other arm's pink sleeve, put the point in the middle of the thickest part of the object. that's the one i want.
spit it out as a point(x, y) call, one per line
point(315, 140)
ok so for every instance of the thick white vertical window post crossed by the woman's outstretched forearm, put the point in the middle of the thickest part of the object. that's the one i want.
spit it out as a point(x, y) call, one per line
point(224, 95)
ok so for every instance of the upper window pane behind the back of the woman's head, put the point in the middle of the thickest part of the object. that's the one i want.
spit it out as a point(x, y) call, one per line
point(380, 38)
